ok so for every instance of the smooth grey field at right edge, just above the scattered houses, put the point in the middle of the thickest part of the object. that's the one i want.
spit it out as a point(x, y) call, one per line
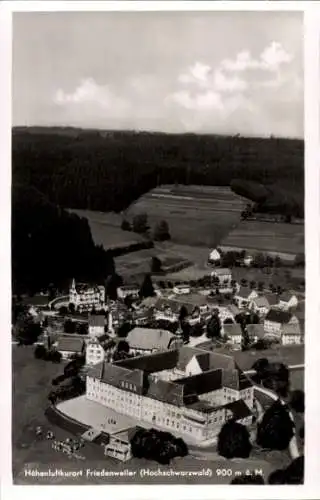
point(267, 237)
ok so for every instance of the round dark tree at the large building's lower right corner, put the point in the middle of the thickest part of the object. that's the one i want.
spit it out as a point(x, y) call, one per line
point(234, 441)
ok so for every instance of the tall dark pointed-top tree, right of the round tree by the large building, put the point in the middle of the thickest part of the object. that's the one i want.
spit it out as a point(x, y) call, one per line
point(276, 429)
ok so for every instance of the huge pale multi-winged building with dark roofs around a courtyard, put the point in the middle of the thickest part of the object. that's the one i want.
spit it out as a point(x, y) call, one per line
point(188, 391)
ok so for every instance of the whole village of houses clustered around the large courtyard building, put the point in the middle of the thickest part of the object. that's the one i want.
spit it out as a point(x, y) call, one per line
point(162, 357)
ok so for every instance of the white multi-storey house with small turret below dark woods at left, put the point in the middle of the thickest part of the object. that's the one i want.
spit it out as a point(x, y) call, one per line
point(85, 297)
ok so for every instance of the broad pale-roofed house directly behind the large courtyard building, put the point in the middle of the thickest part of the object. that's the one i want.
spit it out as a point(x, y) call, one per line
point(148, 340)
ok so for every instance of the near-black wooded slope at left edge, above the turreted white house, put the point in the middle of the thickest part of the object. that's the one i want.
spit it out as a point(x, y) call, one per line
point(50, 245)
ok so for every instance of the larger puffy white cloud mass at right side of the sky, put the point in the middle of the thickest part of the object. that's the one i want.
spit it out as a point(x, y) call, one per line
point(240, 92)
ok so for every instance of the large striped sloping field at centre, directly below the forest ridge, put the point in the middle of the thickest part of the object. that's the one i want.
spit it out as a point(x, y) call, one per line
point(197, 215)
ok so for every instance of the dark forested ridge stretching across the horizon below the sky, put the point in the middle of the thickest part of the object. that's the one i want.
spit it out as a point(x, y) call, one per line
point(107, 171)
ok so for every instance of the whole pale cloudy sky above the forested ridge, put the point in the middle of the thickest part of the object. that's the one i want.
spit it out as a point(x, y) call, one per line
point(201, 72)
